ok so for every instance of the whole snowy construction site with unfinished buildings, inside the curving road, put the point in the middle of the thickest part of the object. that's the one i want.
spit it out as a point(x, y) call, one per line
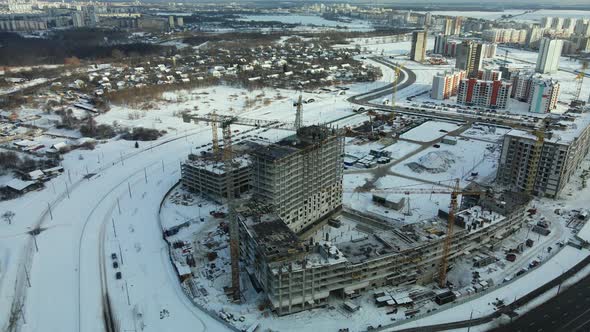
point(413, 211)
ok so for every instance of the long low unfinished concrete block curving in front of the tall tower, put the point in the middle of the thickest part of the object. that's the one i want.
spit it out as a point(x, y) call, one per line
point(299, 274)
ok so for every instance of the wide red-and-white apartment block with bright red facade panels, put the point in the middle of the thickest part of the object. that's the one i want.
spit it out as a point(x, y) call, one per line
point(492, 94)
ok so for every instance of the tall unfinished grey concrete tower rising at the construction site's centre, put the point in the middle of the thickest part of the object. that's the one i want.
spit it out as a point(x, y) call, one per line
point(300, 176)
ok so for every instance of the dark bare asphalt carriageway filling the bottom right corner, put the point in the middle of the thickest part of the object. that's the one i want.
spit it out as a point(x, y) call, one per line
point(567, 312)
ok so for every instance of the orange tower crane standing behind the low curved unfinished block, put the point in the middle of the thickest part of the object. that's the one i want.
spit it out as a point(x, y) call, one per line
point(454, 191)
